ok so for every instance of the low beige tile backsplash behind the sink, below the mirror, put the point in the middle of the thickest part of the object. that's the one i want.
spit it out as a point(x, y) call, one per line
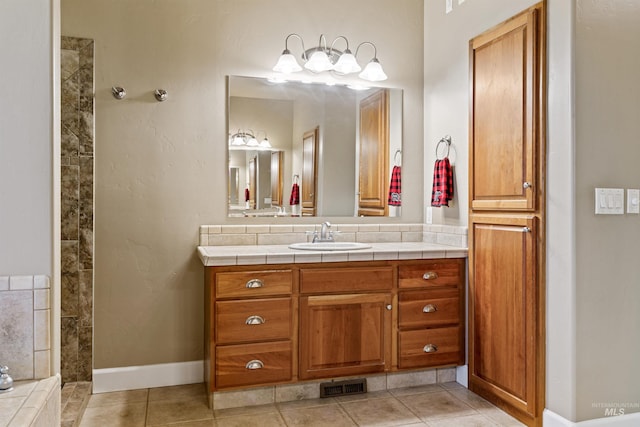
point(231, 235)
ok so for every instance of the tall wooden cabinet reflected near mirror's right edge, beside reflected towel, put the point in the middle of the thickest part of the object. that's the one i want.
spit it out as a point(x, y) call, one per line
point(374, 155)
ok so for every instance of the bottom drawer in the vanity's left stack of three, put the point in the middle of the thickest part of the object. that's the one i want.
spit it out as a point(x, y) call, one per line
point(253, 364)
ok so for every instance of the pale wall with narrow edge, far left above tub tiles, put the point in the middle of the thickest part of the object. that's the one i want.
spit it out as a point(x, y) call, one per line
point(29, 147)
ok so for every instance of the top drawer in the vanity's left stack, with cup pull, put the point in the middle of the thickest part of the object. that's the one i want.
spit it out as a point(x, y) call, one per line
point(242, 284)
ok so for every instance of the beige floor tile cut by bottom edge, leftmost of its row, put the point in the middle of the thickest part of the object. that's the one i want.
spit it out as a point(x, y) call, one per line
point(118, 415)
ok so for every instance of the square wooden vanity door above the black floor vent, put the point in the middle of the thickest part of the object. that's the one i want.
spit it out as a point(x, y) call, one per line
point(344, 335)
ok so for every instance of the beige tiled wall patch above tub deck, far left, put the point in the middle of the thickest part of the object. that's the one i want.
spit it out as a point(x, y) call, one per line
point(25, 326)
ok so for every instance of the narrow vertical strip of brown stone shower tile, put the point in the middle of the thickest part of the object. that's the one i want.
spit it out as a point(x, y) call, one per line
point(77, 204)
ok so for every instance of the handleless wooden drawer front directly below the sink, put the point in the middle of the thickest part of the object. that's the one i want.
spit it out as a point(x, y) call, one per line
point(347, 279)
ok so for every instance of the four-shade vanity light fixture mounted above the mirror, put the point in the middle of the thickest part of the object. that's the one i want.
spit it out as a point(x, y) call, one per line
point(322, 58)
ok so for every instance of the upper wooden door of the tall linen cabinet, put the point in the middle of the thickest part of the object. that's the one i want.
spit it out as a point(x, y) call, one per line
point(504, 123)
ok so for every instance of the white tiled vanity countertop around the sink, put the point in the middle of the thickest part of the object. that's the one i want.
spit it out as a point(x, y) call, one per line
point(282, 254)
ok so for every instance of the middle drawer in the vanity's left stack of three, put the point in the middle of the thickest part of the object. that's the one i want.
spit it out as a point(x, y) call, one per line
point(253, 320)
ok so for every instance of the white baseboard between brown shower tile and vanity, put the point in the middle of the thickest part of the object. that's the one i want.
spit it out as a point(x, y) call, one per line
point(147, 376)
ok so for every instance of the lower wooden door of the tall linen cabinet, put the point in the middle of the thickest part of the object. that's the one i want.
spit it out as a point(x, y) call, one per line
point(504, 305)
